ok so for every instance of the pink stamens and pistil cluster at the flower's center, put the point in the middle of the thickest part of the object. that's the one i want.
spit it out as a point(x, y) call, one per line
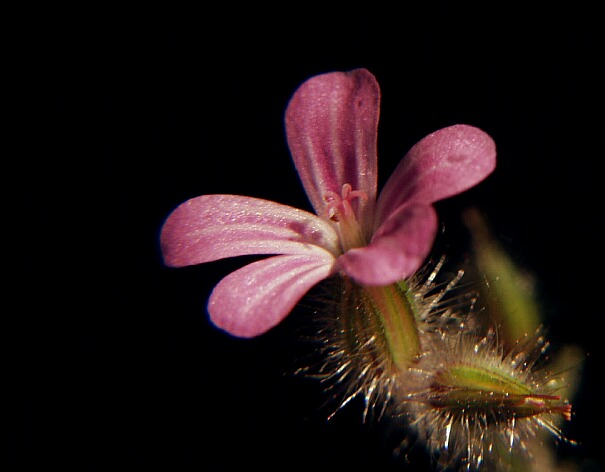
point(341, 212)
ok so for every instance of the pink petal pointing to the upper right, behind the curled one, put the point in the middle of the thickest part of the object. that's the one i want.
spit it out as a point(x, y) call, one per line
point(441, 165)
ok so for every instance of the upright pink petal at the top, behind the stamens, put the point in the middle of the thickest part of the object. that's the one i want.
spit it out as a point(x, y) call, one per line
point(331, 126)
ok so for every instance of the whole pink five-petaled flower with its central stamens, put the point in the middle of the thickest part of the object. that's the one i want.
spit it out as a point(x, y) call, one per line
point(331, 127)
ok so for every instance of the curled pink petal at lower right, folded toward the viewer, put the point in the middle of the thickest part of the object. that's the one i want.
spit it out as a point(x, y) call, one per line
point(398, 249)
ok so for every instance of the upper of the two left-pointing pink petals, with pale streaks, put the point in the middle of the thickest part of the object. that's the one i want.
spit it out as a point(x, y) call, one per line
point(213, 227)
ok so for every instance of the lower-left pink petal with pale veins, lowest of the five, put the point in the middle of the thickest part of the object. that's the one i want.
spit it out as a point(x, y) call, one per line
point(255, 298)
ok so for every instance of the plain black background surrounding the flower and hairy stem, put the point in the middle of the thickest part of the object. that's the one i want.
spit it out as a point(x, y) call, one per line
point(112, 362)
